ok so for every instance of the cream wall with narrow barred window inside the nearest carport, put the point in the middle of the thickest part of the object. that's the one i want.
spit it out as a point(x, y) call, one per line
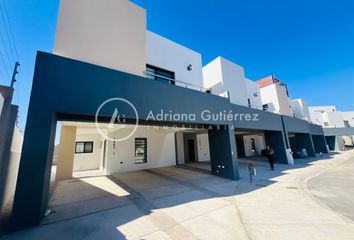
point(160, 150)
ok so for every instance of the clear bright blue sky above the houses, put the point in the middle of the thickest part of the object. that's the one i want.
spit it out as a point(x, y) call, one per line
point(309, 44)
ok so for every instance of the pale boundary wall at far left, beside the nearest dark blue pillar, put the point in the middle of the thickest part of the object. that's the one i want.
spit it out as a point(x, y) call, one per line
point(14, 164)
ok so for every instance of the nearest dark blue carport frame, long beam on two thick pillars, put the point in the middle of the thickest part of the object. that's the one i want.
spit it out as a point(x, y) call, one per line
point(60, 92)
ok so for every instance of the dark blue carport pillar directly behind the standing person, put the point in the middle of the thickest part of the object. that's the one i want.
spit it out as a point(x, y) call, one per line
point(275, 139)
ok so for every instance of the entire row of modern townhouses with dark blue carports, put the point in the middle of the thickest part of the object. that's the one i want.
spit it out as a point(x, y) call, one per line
point(118, 97)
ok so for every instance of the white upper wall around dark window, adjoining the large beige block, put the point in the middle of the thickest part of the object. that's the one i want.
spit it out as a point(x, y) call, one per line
point(171, 56)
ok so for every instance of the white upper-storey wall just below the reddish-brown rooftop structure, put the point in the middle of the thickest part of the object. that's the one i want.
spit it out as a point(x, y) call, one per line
point(277, 99)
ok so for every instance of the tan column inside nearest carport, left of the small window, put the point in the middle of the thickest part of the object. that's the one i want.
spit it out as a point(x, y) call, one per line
point(66, 153)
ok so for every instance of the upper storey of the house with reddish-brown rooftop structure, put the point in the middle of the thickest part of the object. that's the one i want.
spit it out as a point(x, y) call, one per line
point(275, 96)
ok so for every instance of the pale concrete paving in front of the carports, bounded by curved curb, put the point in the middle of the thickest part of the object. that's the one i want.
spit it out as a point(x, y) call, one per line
point(174, 203)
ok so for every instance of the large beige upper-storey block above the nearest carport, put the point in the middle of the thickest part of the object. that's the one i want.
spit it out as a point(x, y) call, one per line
point(109, 33)
